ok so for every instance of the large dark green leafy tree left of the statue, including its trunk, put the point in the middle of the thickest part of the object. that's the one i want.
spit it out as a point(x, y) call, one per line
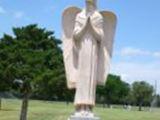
point(33, 56)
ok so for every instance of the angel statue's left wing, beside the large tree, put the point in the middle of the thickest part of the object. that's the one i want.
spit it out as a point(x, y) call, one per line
point(68, 22)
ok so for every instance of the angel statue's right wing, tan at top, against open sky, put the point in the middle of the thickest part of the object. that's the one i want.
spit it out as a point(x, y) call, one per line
point(106, 46)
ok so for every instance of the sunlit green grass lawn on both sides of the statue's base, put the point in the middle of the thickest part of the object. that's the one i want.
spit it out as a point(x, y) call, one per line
point(43, 110)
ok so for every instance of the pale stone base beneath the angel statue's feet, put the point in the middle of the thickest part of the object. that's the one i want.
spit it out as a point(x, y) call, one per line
point(85, 115)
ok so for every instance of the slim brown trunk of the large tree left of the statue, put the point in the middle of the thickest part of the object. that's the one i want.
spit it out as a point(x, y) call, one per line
point(24, 107)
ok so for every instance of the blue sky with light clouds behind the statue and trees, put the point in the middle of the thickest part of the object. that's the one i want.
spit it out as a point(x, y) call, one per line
point(136, 54)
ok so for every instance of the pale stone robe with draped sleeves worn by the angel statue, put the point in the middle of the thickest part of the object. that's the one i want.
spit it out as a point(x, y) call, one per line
point(87, 46)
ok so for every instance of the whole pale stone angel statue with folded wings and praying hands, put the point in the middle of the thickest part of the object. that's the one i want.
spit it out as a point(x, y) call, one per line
point(87, 49)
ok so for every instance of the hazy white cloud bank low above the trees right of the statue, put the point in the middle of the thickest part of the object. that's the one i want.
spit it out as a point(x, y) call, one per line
point(131, 72)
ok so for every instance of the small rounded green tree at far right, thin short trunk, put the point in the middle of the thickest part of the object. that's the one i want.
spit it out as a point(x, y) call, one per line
point(142, 92)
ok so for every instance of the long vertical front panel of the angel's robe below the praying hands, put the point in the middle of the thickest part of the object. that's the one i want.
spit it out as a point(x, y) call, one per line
point(87, 69)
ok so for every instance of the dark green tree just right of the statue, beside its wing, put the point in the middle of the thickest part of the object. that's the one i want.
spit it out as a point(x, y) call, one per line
point(114, 91)
